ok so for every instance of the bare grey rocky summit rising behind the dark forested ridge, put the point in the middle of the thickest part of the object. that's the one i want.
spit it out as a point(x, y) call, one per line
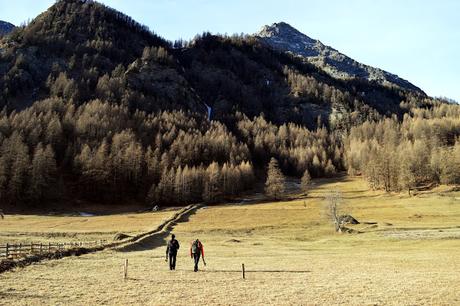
point(284, 37)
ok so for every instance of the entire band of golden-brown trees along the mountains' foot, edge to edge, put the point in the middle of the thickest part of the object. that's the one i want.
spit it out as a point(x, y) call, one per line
point(105, 152)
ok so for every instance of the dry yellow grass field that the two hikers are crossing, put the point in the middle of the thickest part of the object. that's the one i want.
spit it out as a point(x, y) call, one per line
point(293, 256)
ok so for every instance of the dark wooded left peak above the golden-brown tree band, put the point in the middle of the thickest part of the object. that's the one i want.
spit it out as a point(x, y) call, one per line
point(82, 50)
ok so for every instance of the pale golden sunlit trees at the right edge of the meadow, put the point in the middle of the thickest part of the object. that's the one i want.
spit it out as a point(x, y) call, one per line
point(422, 149)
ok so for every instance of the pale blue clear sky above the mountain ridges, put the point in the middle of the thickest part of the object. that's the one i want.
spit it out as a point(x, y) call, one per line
point(419, 40)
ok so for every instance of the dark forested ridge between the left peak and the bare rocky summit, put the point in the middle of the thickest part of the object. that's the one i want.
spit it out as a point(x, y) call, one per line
point(244, 74)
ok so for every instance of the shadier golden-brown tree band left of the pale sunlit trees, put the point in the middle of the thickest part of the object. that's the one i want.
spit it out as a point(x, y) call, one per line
point(106, 152)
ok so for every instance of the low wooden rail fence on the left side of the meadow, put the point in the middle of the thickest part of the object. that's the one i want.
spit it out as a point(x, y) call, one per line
point(23, 249)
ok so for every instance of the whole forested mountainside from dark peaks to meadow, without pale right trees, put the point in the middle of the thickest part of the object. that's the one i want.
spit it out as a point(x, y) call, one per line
point(97, 107)
